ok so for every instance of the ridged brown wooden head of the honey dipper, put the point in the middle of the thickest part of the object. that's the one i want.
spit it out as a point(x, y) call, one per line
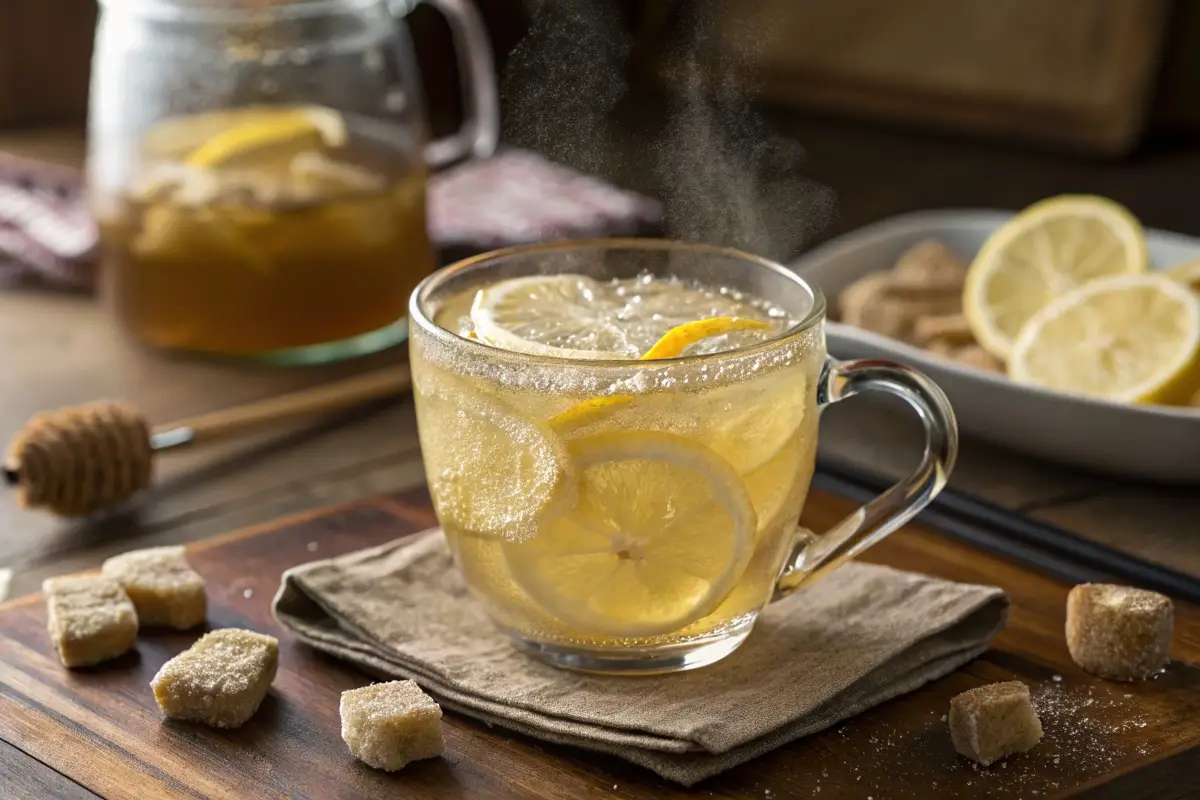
point(81, 460)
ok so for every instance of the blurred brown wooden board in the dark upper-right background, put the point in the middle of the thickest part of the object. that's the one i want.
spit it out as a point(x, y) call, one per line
point(1070, 75)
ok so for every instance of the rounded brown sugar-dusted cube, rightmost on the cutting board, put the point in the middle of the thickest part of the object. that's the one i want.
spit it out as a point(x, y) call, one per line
point(1119, 633)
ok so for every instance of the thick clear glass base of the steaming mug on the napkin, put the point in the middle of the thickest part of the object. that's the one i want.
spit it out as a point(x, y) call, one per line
point(695, 654)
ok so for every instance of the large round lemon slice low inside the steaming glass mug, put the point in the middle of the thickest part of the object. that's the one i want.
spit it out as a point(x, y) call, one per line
point(662, 533)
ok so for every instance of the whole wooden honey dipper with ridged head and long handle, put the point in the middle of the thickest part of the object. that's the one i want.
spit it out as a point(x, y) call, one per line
point(85, 459)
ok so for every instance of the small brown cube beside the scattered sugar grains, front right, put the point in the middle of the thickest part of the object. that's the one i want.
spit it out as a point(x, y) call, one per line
point(994, 721)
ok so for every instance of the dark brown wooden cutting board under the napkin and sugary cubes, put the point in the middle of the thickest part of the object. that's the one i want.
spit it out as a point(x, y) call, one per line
point(100, 729)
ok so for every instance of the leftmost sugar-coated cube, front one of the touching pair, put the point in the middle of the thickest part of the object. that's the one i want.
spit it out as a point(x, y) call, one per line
point(91, 619)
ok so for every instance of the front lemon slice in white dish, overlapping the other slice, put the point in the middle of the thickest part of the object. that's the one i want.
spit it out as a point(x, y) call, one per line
point(1133, 340)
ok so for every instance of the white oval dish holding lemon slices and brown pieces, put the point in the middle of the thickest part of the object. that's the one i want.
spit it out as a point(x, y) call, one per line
point(1148, 443)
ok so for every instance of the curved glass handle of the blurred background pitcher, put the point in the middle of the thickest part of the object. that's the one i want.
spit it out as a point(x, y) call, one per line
point(481, 133)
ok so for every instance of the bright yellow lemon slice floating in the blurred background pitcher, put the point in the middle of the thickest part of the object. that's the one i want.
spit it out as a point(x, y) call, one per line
point(268, 127)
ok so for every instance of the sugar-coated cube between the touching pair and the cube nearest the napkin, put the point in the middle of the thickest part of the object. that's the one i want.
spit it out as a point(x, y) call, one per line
point(220, 681)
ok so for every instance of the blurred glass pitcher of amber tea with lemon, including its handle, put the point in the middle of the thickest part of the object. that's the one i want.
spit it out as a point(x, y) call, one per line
point(259, 170)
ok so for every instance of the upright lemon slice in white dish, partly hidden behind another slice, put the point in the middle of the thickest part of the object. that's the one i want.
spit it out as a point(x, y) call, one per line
point(1042, 254)
